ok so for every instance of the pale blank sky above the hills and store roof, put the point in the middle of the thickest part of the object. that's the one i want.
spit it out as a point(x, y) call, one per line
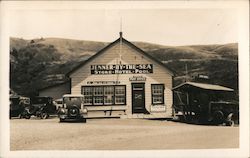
point(160, 26)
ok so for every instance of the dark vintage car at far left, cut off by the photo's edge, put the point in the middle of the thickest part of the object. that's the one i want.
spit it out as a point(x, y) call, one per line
point(17, 105)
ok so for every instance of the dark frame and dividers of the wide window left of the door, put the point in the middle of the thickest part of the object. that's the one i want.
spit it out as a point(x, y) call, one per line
point(103, 95)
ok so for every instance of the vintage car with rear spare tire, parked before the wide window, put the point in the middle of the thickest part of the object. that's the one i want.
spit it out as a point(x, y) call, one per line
point(72, 108)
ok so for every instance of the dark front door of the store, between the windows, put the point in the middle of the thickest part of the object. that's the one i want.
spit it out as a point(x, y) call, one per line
point(138, 98)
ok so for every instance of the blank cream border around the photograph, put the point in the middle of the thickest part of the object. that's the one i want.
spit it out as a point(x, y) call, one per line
point(243, 35)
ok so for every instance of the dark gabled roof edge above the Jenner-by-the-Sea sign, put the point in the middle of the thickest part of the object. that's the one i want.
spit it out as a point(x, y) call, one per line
point(129, 44)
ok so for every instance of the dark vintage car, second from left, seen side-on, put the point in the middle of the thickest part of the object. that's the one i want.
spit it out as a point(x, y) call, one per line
point(40, 107)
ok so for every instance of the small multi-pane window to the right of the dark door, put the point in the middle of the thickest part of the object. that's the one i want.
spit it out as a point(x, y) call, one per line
point(157, 94)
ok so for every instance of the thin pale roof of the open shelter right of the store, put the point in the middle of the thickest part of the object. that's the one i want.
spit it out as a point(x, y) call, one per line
point(204, 86)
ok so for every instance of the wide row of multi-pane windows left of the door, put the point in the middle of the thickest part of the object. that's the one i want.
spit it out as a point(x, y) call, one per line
point(104, 95)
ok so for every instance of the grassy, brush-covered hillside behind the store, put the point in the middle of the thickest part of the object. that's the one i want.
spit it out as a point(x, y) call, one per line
point(38, 63)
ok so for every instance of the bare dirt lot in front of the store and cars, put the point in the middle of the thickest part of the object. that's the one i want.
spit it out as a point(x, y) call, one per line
point(118, 134)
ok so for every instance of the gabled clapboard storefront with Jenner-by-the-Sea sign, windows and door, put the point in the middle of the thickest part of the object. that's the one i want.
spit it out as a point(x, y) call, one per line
point(122, 80)
